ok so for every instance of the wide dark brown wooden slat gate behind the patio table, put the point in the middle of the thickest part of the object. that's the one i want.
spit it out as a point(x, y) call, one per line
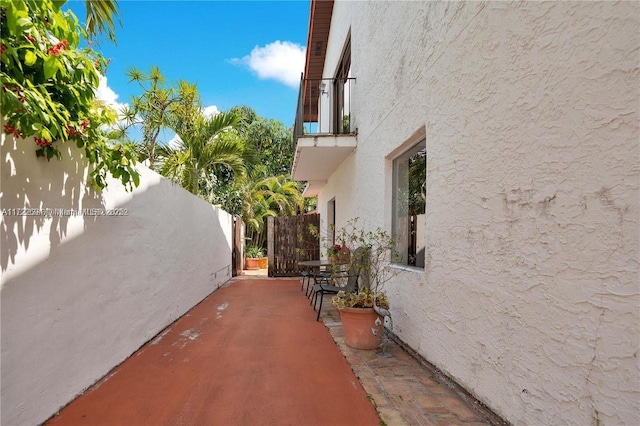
point(289, 240)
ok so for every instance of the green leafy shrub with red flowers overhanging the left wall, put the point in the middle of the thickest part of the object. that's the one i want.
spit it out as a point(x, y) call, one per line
point(49, 85)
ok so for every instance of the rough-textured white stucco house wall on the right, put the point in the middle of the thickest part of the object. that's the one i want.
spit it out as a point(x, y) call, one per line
point(530, 297)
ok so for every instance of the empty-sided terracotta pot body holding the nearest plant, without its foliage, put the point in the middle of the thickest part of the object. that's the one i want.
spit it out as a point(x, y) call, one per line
point(362, 327)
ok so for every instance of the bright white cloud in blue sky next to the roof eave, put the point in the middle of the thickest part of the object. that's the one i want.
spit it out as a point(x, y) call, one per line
point(281, 60)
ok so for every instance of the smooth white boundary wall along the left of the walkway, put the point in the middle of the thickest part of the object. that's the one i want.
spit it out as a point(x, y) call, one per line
point(81, 294)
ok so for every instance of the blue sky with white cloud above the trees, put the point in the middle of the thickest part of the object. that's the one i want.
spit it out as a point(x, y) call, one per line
point(237, 52)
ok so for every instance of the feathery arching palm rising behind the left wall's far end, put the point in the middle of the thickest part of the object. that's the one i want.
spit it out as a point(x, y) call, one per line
point(201, 148)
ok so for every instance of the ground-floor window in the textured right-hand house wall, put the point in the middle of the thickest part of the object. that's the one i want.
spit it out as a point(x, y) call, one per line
point(409, 202)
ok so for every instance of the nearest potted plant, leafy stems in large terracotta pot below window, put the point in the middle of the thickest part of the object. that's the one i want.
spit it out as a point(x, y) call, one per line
point(362, 312)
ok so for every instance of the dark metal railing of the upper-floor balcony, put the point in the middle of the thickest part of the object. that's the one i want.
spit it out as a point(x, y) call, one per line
point(324, 107)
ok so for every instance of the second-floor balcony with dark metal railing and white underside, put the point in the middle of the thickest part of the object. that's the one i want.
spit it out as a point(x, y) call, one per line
point(324, 131)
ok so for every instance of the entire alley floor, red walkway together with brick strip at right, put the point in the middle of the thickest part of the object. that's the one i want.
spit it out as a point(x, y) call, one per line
point(253, 354)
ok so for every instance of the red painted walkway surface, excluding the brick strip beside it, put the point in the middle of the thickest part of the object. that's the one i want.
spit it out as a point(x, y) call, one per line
point(251, 353)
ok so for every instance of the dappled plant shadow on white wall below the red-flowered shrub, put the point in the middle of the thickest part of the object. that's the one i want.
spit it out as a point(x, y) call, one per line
point(30, 185)
